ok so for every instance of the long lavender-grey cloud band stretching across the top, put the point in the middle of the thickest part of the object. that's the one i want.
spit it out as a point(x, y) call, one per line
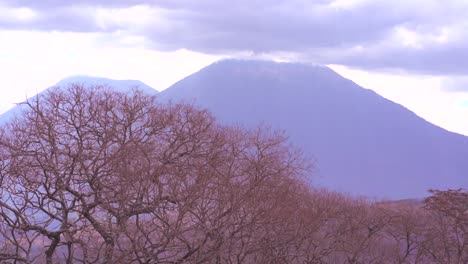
point(419, 36)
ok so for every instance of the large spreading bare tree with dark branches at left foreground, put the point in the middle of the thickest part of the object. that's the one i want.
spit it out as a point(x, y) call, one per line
point(95, 176)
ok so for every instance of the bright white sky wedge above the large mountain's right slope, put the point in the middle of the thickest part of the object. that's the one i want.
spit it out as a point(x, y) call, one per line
point(422, 94)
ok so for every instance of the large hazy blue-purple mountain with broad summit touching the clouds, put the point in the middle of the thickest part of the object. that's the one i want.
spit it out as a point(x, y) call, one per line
point(362, 143)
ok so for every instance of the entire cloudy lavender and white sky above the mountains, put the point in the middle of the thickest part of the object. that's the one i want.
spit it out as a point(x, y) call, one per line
point(413, 52)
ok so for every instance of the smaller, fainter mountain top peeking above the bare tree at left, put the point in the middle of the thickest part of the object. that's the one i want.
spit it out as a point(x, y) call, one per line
point(119, 85)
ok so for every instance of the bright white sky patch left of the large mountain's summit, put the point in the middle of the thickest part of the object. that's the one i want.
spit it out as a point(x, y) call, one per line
point(33, 61)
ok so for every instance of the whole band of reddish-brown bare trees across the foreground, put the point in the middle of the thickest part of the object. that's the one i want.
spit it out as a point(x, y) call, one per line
point(92, 175)
